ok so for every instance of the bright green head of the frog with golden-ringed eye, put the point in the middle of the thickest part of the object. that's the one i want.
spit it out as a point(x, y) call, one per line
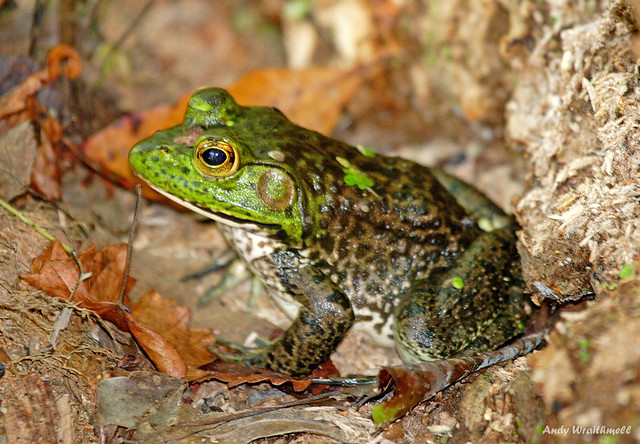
point(227, 162)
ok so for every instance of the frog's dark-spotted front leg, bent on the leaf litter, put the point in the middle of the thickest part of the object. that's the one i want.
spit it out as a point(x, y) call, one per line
point(324, 317)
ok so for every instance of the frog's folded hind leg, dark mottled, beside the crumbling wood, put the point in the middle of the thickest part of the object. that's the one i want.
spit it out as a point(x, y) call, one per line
point(471, 306)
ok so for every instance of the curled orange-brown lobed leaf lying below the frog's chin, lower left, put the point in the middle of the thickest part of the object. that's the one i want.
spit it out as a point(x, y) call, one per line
point(160, 327)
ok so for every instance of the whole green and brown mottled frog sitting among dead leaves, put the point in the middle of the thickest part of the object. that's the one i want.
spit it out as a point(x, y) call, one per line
point(344, 236)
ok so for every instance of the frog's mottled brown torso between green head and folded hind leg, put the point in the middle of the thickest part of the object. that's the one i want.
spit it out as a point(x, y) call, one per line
point(373, 241)
